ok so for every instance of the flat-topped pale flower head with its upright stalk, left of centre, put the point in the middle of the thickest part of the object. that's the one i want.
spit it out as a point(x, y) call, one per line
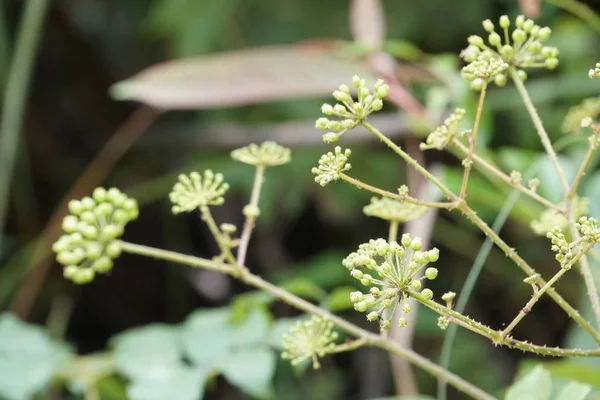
point(268, 154)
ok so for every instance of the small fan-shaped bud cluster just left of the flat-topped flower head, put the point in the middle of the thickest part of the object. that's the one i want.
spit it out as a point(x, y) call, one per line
point(194, 191)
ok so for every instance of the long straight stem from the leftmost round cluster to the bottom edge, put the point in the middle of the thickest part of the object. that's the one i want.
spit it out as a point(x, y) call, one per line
point(369, 338)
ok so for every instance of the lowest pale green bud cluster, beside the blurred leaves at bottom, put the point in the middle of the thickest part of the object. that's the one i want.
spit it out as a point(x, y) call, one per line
point(309, 339)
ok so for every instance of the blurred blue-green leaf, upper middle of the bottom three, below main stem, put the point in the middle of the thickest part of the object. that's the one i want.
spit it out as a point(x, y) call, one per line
point(208, 337)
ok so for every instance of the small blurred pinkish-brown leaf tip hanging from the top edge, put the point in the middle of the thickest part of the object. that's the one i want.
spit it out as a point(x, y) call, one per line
point(367, 22)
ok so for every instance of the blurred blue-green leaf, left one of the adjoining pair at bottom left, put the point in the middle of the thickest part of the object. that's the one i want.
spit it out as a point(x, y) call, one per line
point(151, 352)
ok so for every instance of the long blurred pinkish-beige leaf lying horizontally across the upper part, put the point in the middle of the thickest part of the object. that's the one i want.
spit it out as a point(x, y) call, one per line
point(238, 78)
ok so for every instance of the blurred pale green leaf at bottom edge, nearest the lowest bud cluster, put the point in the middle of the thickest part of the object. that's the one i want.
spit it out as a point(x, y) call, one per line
point(251, 370)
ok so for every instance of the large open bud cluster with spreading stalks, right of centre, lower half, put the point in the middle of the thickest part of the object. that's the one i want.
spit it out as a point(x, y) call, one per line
point(390, 270)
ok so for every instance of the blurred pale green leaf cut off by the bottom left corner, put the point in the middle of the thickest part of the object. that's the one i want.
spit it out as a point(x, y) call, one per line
point(28, 358)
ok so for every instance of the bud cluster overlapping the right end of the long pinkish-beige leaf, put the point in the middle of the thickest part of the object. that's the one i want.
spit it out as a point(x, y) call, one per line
point(349, 112)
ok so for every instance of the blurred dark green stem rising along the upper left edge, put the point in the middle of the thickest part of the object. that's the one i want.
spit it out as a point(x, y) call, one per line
point(15, 95)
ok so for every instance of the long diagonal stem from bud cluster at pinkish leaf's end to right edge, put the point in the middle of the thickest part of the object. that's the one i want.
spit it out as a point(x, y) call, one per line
point(477, 221)
